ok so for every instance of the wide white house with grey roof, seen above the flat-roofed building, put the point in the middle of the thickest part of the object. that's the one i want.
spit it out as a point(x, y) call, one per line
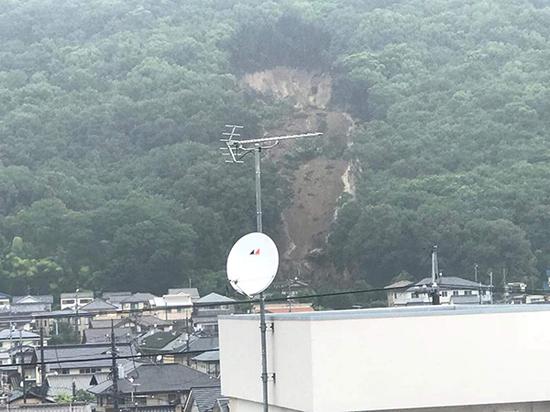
point(452, 290)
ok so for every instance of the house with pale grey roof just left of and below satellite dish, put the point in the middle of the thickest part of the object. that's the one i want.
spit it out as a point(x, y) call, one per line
point(207, 309)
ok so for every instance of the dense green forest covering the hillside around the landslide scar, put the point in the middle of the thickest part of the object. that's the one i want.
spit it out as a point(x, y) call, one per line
point(110, 112)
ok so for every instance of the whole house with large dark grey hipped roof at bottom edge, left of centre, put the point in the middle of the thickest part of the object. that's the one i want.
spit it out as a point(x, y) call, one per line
point(152, 386)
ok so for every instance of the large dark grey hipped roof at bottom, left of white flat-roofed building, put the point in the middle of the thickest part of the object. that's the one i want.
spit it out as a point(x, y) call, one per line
point(160, 378)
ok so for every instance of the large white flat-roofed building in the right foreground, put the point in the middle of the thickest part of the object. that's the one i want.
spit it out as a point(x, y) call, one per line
point(446, 358)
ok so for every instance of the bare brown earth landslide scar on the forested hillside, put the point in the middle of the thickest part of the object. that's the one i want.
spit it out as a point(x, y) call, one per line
point(318, 183)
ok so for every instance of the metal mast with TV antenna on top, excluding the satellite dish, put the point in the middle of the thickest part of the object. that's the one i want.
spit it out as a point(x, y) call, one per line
point(237, 150)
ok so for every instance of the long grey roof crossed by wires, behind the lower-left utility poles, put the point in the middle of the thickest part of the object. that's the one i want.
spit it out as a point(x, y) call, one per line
point(85, 354)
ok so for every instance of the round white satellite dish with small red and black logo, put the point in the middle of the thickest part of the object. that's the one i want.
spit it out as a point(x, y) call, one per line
point(252, 263)
